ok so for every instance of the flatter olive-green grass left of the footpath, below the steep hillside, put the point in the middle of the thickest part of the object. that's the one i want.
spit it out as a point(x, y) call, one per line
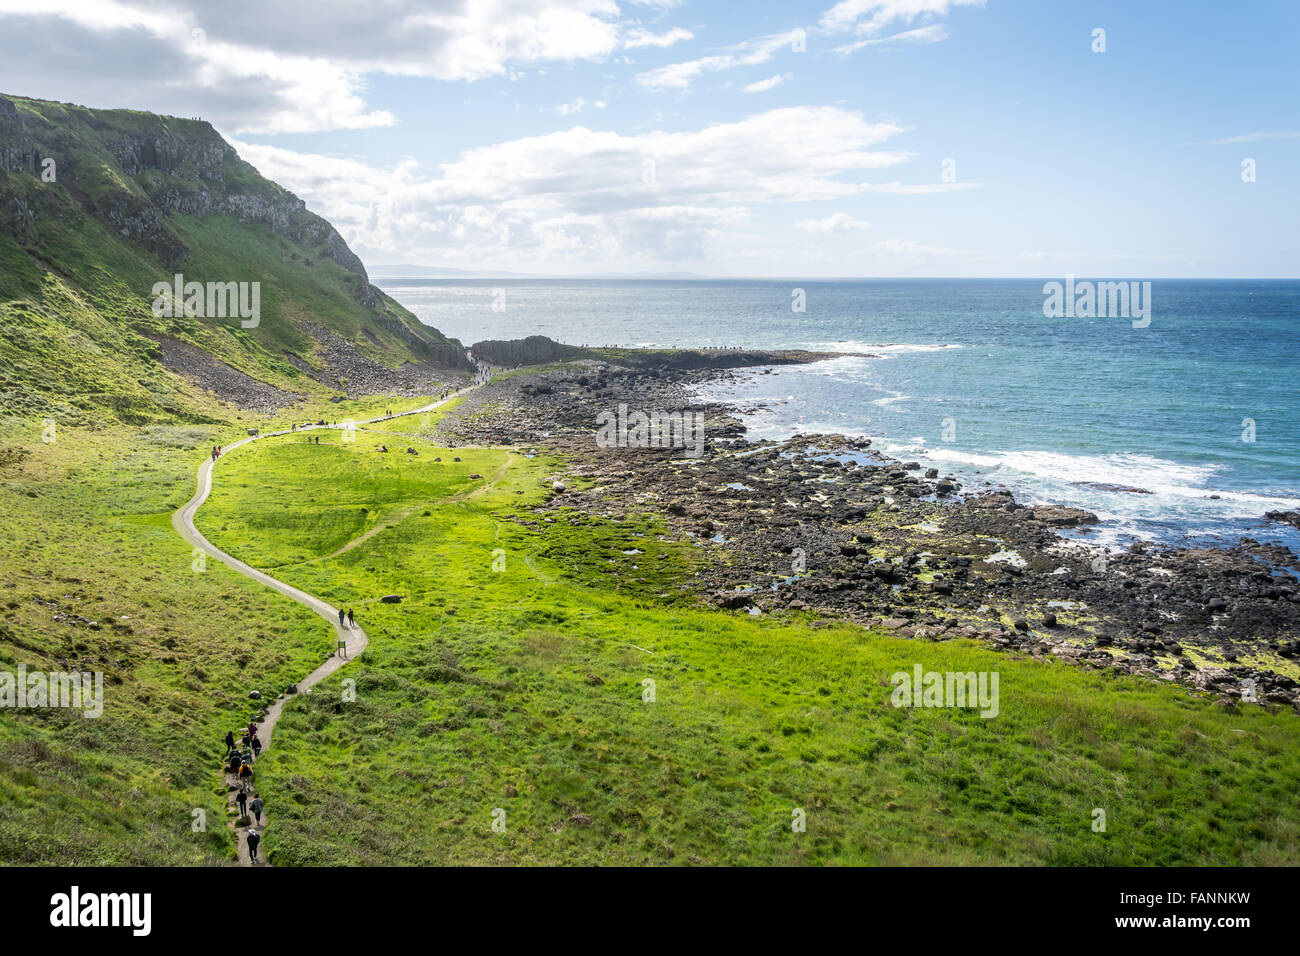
point(88, 533)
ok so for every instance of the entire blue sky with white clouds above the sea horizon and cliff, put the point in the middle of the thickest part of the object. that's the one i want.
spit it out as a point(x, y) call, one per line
point(866, 139)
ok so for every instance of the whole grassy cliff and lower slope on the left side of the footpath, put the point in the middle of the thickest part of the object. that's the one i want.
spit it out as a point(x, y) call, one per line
point(99, 439)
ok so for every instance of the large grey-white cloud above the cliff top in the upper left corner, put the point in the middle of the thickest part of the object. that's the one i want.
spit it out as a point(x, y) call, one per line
point(293, 66)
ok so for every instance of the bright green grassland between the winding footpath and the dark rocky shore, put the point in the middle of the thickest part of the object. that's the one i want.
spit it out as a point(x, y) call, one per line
point(522, 690)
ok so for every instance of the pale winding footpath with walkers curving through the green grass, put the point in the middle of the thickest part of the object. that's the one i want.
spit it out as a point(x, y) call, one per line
point(353, 638)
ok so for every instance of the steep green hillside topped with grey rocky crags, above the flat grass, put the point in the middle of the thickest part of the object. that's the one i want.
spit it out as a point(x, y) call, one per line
point(97, 207)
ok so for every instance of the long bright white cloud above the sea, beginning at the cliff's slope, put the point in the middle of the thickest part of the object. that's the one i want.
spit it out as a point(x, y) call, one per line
point(590, 194)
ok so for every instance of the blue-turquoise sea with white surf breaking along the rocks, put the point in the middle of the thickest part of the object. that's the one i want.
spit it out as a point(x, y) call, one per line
point(972, 378)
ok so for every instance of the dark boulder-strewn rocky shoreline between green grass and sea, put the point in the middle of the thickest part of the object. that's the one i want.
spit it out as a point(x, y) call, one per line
point(826, 526)
